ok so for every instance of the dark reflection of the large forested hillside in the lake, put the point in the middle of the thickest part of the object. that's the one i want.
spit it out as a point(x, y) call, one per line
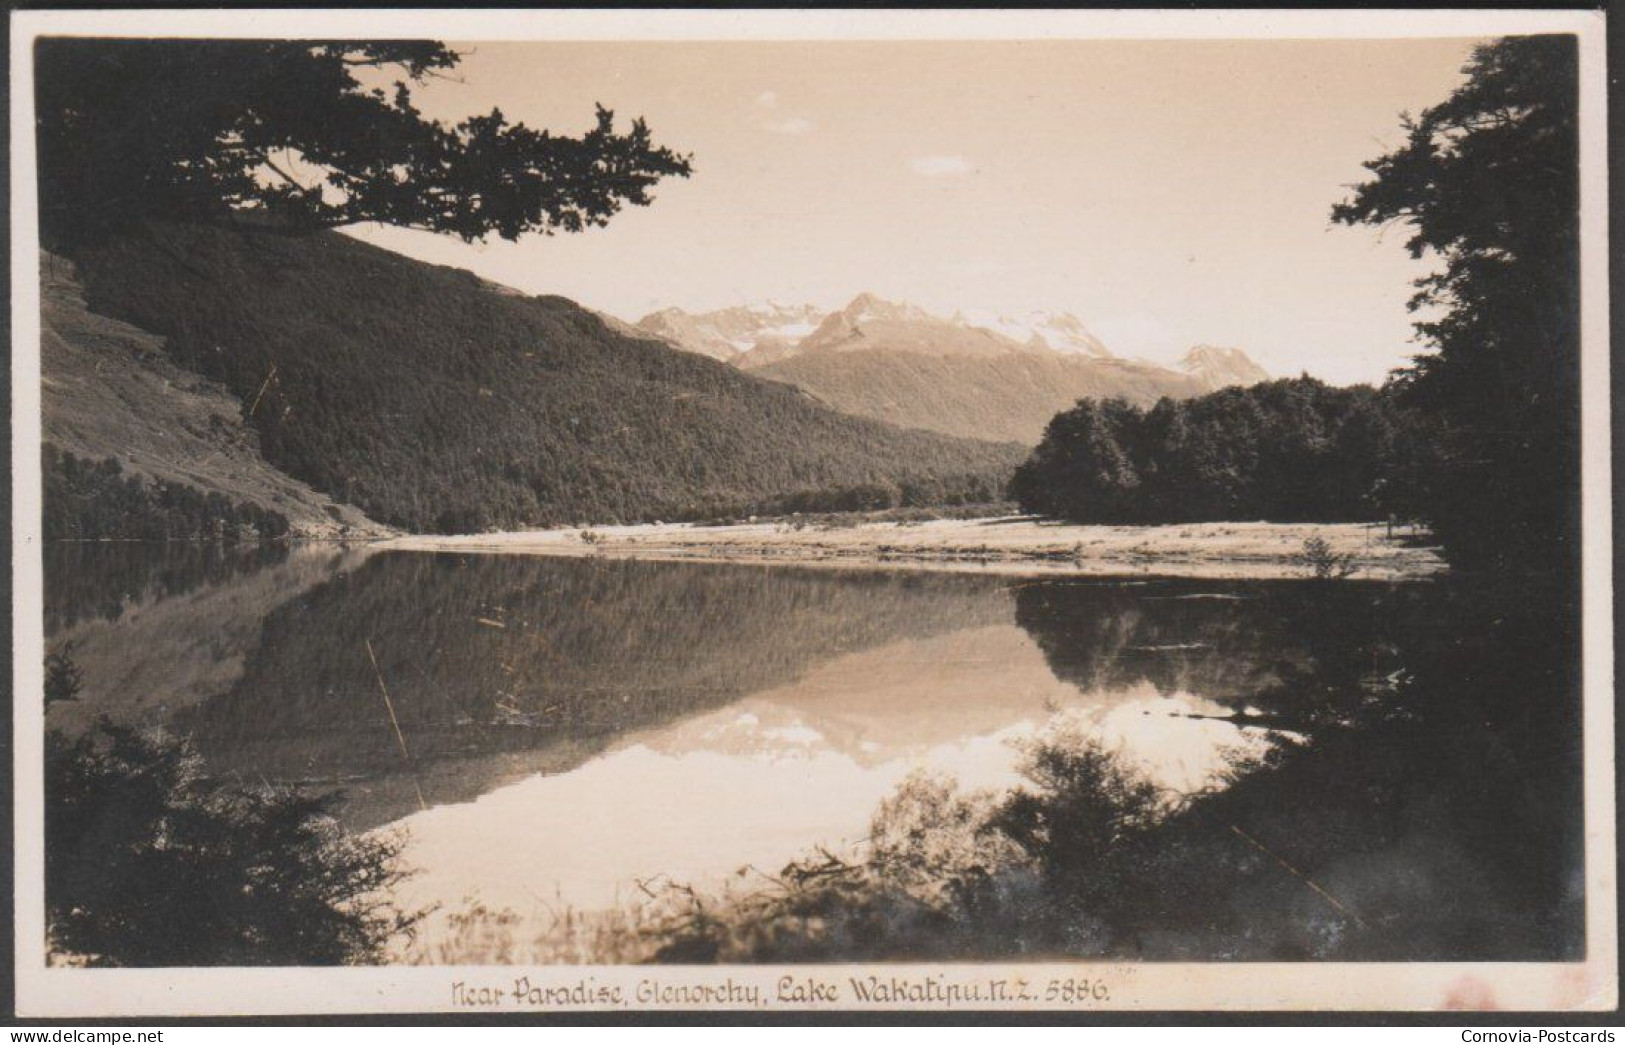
point(487, 654)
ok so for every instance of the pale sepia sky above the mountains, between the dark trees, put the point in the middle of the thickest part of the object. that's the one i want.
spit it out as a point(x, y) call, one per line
point(1169, 194)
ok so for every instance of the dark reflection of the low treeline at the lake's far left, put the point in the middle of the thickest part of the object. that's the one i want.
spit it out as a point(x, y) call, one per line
point(98, 579)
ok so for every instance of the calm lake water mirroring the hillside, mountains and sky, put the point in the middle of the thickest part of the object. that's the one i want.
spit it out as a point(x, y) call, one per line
point(553, 731)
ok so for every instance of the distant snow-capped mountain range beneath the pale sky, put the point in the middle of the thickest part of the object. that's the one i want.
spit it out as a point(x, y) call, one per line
point(976, 375)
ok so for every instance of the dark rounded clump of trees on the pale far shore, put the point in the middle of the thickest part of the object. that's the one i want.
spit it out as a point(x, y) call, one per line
point(1288, 451)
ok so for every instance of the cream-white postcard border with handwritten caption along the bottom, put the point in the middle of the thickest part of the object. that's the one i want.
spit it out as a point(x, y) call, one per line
point(1588, 986)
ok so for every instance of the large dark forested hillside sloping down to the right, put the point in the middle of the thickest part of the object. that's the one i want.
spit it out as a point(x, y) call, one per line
point(433, 402)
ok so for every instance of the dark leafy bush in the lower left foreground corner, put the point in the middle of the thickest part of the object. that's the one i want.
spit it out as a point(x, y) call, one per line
point(147, 864)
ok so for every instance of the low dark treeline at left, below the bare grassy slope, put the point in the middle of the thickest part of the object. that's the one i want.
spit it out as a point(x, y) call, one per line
point(87, 500)
